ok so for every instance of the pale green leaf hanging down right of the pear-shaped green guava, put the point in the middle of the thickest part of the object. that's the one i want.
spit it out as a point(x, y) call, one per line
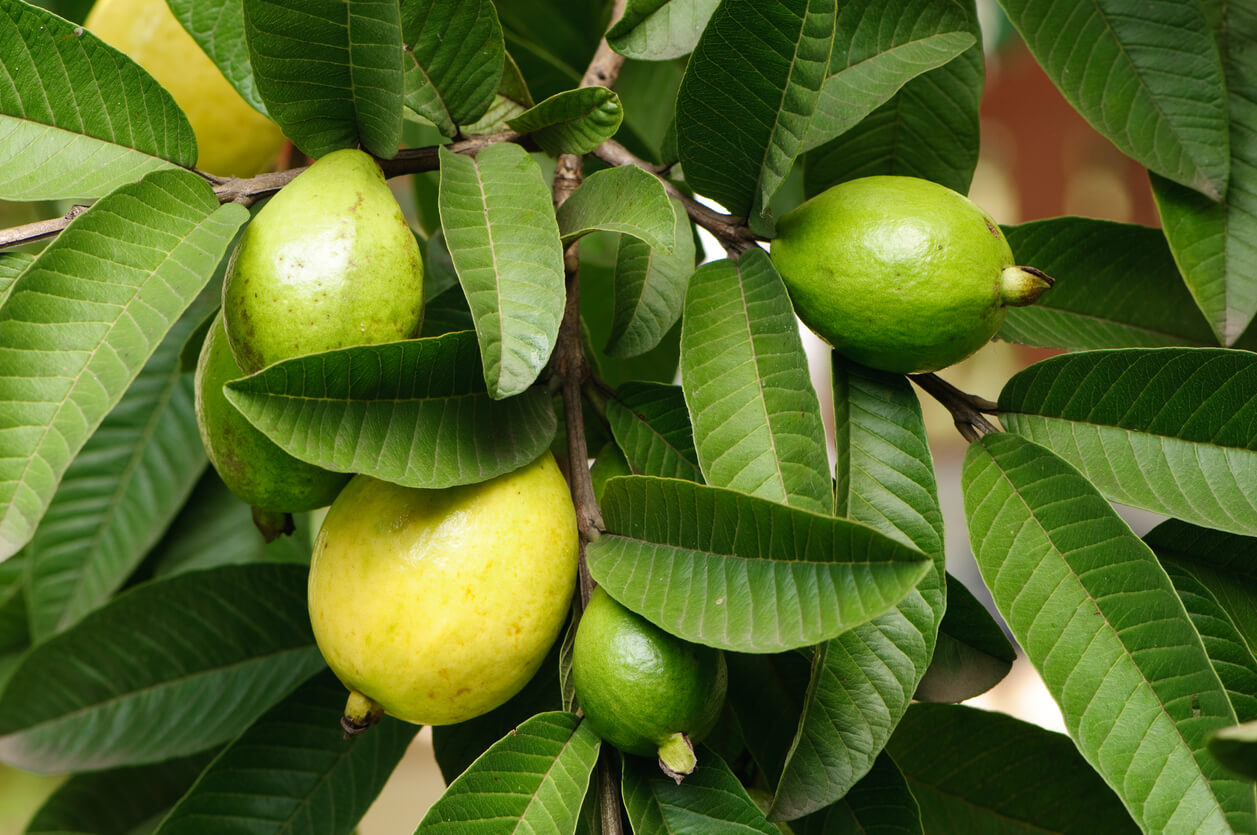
point(501, 231)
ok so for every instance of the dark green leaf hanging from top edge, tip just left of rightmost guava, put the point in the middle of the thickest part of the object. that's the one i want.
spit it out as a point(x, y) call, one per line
point(749, 96)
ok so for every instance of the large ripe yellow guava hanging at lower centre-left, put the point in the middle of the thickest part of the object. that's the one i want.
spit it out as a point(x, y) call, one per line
point(441, 606)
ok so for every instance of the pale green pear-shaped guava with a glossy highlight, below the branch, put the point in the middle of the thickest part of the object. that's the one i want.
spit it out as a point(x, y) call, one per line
point(329, 263)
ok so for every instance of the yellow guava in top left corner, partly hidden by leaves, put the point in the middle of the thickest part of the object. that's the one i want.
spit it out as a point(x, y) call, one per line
point(232, 138)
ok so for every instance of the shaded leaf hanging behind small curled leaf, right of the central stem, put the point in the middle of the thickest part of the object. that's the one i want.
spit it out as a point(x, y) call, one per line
point(650, 289)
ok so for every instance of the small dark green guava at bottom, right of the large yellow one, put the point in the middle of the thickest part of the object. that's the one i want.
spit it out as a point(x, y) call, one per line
point(643, 690)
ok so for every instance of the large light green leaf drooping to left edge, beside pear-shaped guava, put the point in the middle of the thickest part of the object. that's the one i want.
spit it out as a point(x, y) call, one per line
point(77, 329)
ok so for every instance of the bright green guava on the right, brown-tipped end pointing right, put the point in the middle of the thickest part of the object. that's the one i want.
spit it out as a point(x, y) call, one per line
point(901, 274)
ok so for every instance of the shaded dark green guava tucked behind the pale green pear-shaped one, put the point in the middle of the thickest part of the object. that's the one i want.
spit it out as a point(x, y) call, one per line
point(248, 462)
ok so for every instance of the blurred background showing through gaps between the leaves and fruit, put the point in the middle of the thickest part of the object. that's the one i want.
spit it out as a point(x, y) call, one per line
point(1039, 159)
